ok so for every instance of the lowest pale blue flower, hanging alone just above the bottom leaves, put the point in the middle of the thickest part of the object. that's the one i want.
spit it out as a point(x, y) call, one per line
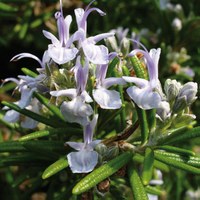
point(86, 158)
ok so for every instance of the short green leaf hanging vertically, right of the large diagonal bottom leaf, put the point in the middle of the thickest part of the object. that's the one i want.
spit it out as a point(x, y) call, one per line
point(147, 171)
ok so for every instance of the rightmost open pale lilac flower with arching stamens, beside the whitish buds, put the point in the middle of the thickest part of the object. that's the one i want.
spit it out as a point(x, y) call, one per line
point(147, 94)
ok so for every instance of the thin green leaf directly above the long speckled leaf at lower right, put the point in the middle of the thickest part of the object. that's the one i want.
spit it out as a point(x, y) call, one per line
point(176, 150)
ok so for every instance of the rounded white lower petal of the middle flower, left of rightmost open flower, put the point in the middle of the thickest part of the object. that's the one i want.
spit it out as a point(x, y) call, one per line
point(107, 99)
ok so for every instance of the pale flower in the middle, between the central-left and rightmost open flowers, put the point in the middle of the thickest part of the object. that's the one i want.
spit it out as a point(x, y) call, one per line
point(107, 99)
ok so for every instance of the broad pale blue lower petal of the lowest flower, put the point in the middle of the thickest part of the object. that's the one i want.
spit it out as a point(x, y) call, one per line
point(83, 161)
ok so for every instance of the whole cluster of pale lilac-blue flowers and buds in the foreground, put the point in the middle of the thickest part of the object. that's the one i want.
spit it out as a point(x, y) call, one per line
point(74, 73)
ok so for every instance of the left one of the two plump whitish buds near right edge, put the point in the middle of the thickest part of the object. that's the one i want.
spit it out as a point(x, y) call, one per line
point(171, 88)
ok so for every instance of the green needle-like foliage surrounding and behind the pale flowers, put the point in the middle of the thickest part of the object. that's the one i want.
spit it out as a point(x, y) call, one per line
point(140, 153)
